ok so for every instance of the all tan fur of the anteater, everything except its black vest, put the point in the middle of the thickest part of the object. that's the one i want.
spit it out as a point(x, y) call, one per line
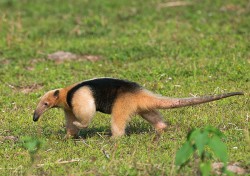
point(141, 102)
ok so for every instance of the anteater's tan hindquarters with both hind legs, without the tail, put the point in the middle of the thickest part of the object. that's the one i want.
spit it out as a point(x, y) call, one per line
point(142, 103)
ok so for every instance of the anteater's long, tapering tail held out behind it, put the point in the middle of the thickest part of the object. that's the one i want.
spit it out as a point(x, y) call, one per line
point(168, 103)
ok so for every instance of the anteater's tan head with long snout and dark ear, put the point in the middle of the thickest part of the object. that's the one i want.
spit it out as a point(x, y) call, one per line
point(48, 100)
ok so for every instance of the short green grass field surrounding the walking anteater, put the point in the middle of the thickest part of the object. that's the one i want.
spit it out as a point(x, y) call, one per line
point(179, 51)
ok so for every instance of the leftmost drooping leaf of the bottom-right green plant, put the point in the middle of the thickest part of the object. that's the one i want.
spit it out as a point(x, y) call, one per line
point(183, 154)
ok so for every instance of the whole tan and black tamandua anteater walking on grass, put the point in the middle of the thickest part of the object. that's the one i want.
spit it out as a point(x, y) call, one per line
point(120, 98)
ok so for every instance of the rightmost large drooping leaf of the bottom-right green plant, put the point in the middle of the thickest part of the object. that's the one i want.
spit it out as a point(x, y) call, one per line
point(219, 148)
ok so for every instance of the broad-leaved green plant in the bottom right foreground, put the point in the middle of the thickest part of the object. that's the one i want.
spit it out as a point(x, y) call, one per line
point(203, 142)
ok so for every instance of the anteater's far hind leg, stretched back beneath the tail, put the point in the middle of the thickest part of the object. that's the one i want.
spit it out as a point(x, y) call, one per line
point(154, 117)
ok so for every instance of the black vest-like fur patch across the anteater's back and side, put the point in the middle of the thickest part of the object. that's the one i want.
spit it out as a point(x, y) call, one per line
point(105, 91)
